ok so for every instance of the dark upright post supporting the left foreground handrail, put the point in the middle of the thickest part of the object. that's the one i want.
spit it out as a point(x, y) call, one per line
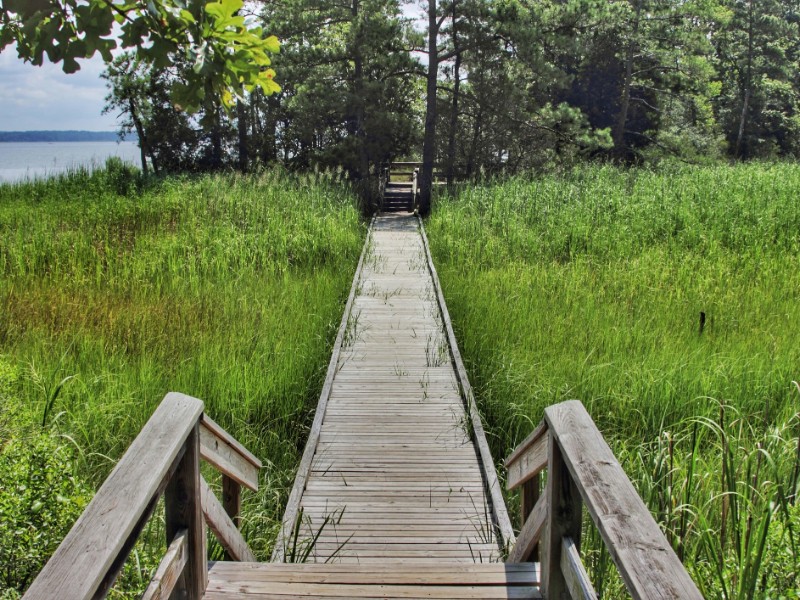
point(183, 510)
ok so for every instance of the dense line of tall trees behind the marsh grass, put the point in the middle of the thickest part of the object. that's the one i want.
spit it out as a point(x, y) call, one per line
point(479, 86)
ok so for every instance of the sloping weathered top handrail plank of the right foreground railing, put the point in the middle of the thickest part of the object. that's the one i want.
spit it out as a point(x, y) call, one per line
point(647, 563)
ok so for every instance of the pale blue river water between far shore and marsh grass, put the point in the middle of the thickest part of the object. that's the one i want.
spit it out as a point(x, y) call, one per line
point(30, 160)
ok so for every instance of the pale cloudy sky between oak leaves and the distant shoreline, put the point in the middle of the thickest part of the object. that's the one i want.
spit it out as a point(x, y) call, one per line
point(35, 98)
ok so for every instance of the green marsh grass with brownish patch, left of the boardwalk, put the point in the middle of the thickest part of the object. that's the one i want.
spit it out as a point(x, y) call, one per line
point(226, 288)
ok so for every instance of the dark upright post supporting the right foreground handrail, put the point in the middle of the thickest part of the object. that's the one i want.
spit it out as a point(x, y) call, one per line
point(563, 520)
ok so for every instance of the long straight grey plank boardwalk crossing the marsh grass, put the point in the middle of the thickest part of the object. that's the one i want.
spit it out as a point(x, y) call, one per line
point(391, 463)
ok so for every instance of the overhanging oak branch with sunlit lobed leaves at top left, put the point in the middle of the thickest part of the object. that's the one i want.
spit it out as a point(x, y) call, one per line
point(226, 53)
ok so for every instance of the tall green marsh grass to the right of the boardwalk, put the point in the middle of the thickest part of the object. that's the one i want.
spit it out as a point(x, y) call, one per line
point(591, 285)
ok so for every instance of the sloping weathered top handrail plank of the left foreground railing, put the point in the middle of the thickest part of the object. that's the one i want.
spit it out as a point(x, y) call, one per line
point(79, 566)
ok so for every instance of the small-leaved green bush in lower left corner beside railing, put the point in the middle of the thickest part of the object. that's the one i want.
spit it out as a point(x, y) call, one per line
point(40, 498)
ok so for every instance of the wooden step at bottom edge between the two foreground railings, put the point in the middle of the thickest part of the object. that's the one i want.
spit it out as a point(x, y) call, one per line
point(426, 579)
